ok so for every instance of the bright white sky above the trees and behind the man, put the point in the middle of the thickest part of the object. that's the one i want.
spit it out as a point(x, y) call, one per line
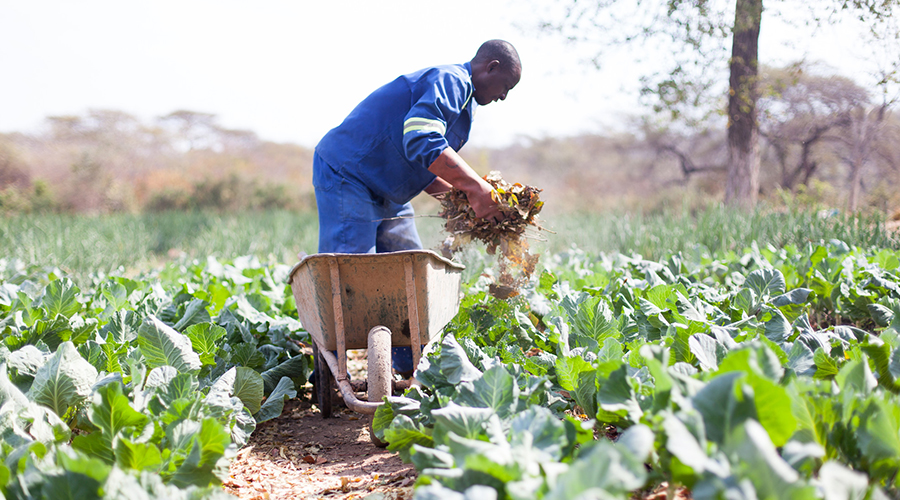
point(291, 70)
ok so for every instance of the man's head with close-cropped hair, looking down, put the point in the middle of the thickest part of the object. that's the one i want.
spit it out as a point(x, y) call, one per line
point(496, 69)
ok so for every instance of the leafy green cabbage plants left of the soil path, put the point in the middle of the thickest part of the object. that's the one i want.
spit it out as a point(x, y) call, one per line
point(149, 374)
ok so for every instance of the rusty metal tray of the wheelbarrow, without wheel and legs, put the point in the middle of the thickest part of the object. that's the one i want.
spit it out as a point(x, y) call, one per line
point(373, 291)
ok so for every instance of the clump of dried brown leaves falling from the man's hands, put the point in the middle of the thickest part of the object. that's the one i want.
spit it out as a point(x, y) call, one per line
point(520, 205)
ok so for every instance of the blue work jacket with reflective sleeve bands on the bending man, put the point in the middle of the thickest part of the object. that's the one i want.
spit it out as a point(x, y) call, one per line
point(392, 136)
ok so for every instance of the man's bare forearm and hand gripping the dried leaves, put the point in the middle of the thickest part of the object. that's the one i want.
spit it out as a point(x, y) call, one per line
point(453, 170)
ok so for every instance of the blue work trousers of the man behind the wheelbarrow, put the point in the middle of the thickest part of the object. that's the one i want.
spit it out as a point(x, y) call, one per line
point(352, 219)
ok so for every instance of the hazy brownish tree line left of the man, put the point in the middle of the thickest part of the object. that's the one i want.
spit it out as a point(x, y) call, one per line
point(109, 161)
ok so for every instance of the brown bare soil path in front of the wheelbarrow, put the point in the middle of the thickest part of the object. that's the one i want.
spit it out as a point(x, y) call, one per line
point(302, 455)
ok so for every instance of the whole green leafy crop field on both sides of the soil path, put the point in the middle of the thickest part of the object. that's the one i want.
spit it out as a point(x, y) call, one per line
point(676, 359)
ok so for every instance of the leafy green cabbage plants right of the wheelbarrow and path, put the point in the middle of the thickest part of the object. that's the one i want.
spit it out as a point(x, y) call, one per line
point(767, 374)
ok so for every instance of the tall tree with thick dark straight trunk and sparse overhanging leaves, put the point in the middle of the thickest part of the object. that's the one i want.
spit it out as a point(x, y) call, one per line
point(688, 90)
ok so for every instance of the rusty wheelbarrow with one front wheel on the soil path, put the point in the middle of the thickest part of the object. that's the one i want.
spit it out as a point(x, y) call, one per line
point(374, 302)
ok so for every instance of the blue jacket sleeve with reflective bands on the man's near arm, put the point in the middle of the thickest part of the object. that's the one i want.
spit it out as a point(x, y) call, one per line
point(426, 123)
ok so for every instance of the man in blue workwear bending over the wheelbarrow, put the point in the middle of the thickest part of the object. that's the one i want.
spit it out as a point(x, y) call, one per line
point(403, 139)
